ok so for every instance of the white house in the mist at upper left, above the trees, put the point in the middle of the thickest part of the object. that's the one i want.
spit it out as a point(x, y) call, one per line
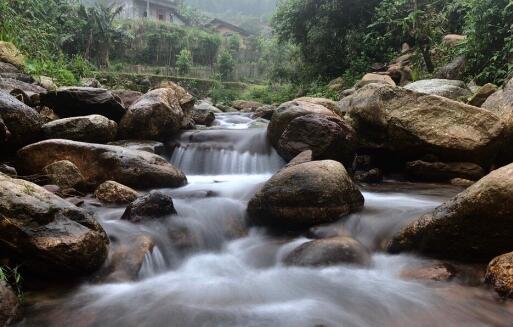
point(163, 10)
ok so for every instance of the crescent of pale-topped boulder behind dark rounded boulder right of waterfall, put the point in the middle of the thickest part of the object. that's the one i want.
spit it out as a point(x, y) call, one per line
point(289, 111)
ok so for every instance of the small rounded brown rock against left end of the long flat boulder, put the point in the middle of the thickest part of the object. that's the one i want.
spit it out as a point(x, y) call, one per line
point(64, 174)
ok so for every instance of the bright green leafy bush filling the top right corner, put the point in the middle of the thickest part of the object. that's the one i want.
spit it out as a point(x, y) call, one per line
point(489, 48)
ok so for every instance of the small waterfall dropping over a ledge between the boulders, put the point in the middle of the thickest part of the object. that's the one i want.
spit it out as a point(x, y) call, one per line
point(226, 152)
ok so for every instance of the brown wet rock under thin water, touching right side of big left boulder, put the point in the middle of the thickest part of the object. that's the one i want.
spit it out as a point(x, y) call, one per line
point(127, 259)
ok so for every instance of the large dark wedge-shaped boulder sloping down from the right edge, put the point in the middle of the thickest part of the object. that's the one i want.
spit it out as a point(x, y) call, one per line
point(476, 225)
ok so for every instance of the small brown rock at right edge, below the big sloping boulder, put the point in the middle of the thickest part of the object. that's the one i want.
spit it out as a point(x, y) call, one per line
point(499, 274)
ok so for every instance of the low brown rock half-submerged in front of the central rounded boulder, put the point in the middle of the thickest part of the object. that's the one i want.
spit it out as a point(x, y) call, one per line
point(329, 252)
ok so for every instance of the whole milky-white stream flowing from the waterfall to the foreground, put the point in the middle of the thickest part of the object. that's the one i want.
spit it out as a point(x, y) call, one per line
point(208, 269)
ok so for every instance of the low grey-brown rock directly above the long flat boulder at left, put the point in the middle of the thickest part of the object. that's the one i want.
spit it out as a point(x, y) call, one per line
point(93, 128)
